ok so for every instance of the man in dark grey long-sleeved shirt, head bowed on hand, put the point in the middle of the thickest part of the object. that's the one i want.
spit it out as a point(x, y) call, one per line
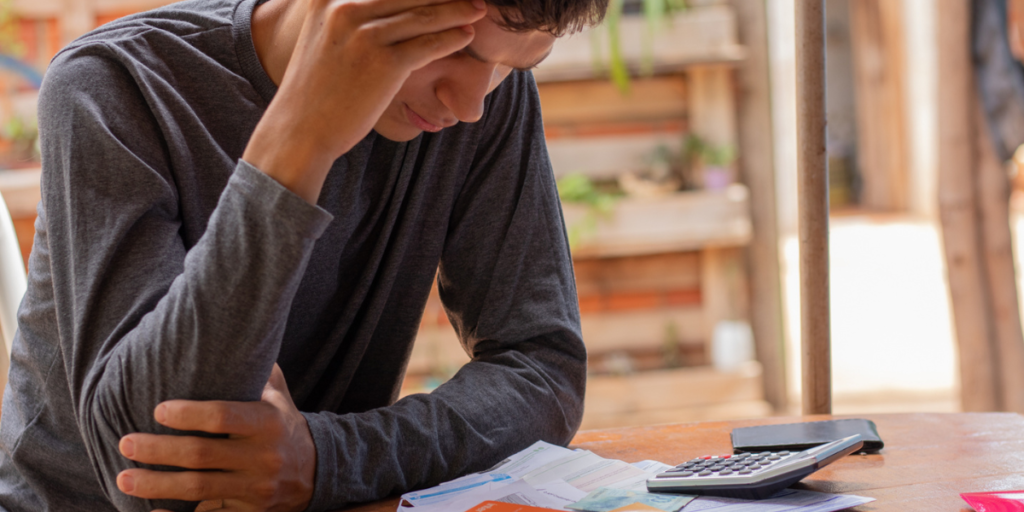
point(239, 195)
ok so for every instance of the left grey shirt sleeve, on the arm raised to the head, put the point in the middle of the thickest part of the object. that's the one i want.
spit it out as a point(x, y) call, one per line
point(142, 317)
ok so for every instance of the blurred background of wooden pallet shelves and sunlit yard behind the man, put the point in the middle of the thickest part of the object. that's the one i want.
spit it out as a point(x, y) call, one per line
point(672, 134)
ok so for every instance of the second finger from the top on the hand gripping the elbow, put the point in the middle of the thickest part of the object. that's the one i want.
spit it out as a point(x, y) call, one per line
point(186, 452)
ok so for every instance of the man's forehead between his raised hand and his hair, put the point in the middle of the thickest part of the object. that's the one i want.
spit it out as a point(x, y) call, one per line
point(500, 46)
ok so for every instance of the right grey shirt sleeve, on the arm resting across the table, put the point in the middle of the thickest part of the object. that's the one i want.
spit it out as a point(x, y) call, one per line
point(506, 281)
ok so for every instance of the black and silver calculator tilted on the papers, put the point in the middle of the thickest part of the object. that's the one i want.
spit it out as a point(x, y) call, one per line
point(750, 477)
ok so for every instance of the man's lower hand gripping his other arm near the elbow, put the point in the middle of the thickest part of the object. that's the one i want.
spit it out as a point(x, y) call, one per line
point(268, 463)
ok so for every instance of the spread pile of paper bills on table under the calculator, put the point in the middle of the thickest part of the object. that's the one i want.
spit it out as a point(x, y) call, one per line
point(554, 478)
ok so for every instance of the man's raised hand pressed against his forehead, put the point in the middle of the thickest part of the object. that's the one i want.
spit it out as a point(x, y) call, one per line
point(351, 60)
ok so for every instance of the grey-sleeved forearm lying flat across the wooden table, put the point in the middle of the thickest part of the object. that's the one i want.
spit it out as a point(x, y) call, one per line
point(501, 403)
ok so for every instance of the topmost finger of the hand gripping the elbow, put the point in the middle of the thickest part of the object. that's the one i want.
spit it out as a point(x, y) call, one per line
point(240, 418)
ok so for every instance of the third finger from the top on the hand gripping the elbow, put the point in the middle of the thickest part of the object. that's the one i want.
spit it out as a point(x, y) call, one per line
point(188, 486)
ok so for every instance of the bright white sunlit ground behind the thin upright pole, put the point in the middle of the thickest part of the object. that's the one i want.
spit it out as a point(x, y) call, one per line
point(893, 348)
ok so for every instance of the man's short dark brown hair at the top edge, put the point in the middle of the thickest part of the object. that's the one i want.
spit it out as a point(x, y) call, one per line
point(556, 17)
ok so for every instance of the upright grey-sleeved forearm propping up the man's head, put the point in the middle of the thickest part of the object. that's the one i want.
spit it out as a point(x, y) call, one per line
point(214, 335)
